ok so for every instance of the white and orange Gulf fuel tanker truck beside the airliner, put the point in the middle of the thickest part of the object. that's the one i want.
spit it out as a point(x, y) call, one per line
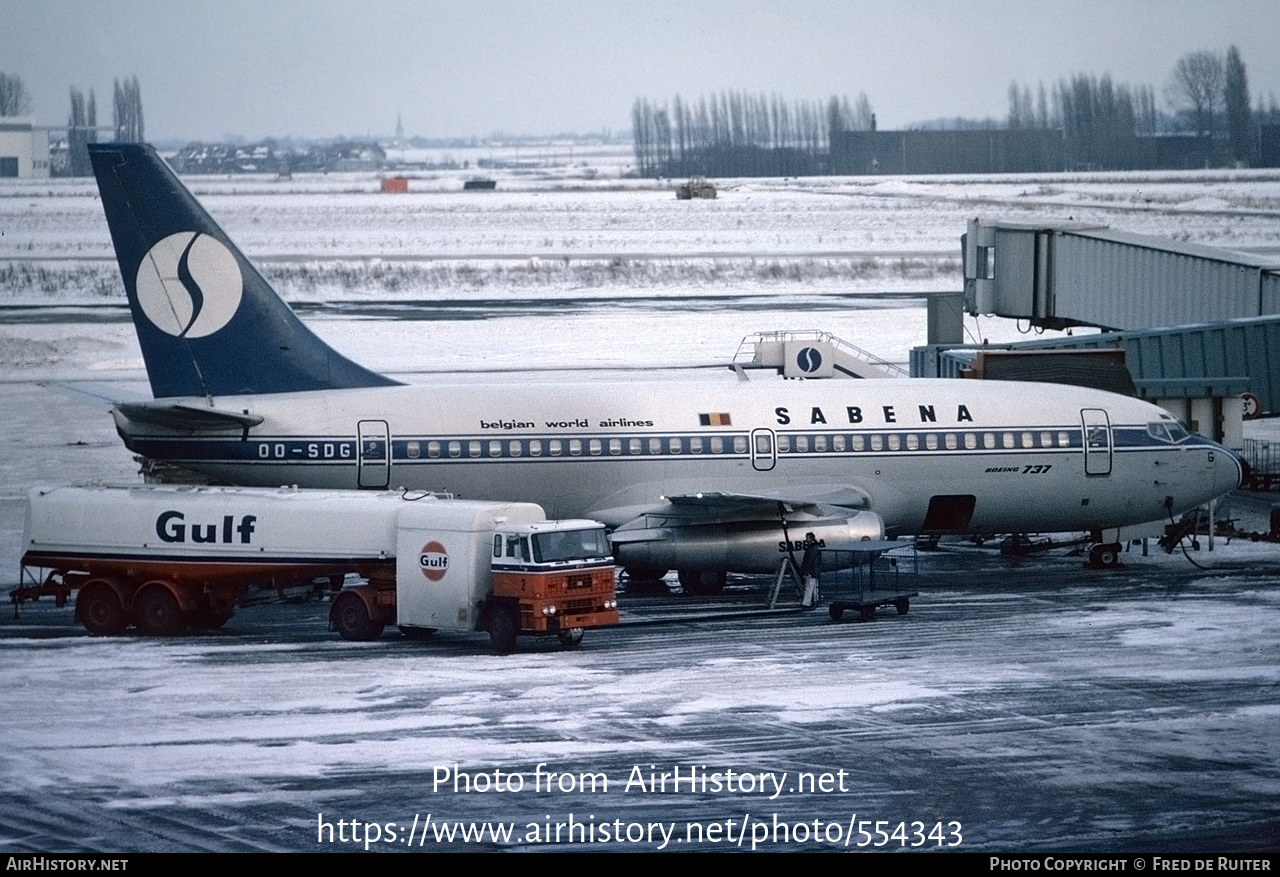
point(167, 559)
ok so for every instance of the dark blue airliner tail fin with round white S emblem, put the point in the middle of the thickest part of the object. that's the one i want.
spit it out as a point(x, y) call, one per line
point(209, 325)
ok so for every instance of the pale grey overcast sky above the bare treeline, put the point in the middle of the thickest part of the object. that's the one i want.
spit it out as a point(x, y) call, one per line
point(324, 68)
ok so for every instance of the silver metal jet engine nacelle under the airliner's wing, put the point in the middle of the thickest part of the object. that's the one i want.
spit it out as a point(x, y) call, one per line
point(739, 547)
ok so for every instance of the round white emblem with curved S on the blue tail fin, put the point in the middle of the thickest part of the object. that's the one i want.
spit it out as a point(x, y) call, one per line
point(190, 286)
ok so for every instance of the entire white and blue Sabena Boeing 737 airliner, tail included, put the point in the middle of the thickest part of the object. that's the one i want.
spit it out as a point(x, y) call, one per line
point(702, 477)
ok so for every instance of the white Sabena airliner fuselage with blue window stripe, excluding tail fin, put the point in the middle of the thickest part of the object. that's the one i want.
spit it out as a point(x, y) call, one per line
point(1034, 458)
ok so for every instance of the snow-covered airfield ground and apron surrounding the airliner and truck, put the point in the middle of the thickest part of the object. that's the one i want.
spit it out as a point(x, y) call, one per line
point(1041, 706)
